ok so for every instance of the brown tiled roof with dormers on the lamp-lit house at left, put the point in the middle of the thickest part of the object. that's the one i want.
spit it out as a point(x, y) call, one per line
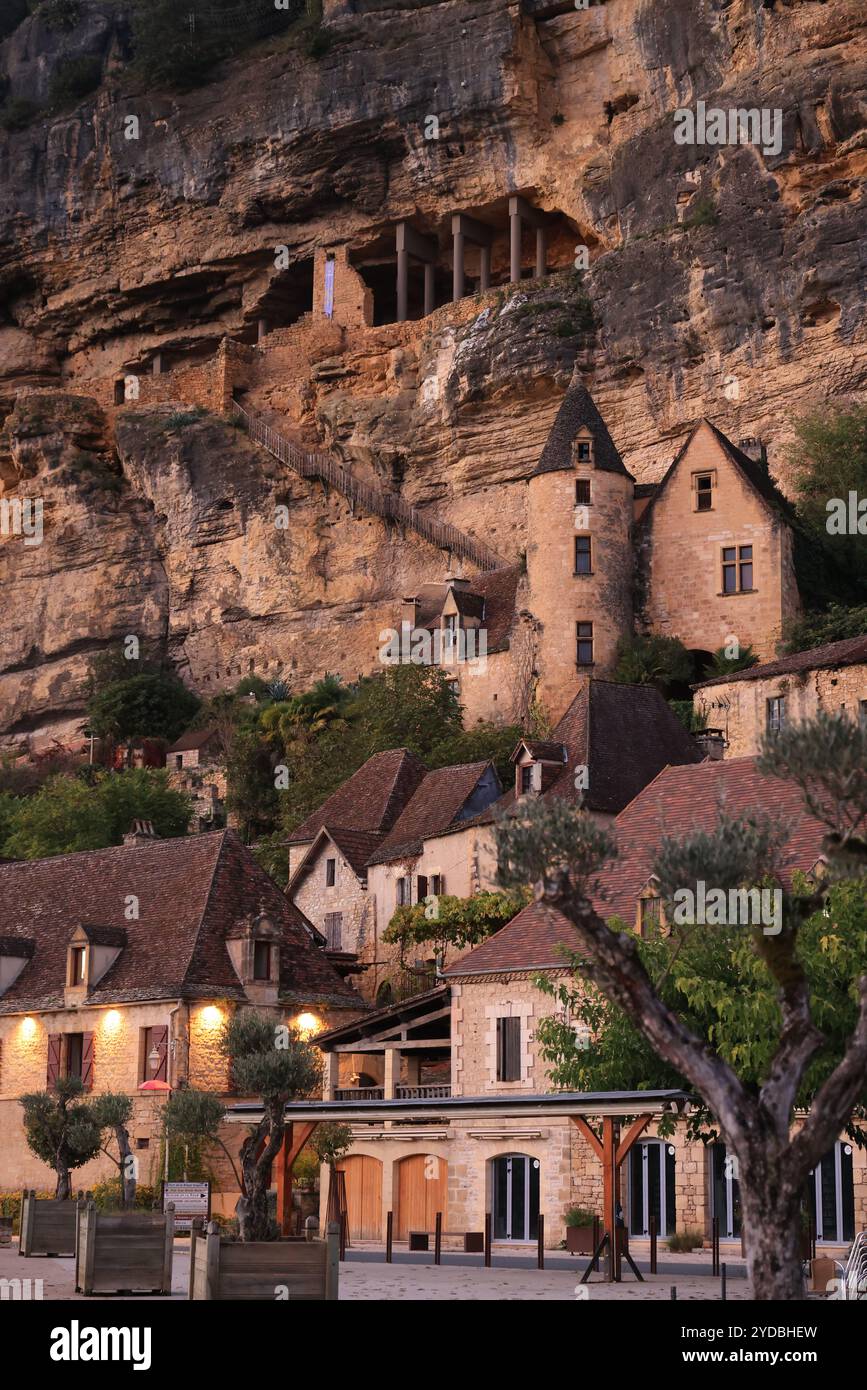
point(191, 893)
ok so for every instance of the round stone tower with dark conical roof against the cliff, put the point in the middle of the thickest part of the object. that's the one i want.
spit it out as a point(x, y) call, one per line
point(580, 550)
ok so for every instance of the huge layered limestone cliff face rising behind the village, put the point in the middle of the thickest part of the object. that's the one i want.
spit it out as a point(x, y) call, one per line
point(725, 283)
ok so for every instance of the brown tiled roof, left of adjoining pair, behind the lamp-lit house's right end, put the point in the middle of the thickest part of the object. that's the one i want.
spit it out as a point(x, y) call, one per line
point(370, 800)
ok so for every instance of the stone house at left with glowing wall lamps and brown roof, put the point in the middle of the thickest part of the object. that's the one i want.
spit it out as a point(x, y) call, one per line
point(122, 965)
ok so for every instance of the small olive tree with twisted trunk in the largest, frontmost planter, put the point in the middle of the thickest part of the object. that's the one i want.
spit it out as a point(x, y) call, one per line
point(277, 1065)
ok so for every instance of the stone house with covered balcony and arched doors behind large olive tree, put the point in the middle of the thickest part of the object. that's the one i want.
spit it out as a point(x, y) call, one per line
point(465, 1120)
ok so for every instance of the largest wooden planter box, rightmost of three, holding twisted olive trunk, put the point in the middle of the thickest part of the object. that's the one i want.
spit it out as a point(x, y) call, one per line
point(273, 1270)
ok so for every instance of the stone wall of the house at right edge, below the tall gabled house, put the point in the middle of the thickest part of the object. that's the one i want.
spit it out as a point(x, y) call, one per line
point(741, 708)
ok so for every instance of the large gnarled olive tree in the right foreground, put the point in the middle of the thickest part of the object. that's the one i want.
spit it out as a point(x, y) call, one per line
point(561, 851)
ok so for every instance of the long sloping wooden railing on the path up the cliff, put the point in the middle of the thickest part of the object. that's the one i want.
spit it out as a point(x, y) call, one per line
point(315, 465)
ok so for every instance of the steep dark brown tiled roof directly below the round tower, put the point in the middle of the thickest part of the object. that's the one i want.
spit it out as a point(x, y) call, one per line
point(625, 736)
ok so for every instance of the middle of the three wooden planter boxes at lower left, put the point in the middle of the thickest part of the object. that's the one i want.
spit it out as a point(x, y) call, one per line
point(124, 1252)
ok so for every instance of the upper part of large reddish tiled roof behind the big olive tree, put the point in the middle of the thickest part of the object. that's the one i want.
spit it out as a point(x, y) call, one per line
point(687, 800)
